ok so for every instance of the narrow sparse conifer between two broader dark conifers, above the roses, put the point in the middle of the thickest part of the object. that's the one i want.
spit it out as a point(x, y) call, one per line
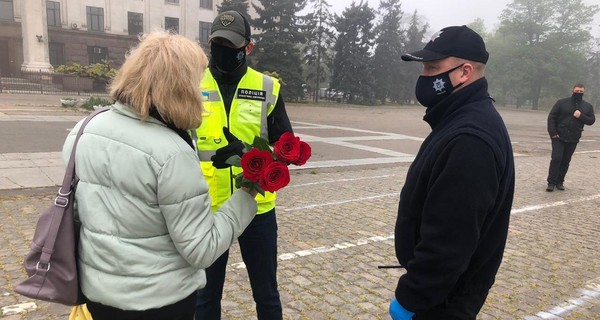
point(318, 50)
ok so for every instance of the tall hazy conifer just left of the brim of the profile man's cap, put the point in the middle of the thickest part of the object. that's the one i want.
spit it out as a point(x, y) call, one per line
point(389, 44)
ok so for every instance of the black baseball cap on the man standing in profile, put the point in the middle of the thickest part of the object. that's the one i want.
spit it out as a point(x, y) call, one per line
point(455, 41)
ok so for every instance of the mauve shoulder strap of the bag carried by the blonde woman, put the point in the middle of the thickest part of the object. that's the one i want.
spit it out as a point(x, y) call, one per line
point(61, 202)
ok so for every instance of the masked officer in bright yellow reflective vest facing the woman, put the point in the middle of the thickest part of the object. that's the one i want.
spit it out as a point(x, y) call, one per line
point(241, 103)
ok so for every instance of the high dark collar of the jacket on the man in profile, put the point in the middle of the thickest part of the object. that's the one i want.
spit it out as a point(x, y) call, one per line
point(476, 91)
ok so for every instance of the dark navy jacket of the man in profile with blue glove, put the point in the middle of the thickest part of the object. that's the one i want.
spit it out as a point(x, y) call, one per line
point(455, 205)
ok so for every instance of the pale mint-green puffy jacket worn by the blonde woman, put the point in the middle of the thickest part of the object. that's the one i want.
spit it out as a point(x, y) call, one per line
point(147, 227)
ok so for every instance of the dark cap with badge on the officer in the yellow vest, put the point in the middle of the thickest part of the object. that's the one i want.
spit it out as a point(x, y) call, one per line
point(232, 26)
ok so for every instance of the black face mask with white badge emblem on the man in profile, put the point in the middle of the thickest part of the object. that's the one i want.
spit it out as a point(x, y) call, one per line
point(430, 90)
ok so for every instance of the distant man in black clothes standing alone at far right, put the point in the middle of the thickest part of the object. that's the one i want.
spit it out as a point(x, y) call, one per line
point(565, 124)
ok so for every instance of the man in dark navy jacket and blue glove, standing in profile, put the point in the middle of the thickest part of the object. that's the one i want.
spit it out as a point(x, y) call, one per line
point(455, 204)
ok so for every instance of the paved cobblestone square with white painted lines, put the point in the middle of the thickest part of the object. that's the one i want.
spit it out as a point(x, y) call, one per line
point(336, 221)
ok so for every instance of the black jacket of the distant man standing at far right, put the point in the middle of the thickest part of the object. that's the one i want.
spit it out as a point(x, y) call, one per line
point(562, 122)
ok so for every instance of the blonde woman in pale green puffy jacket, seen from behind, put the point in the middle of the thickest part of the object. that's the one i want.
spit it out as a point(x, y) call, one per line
point(147, 228)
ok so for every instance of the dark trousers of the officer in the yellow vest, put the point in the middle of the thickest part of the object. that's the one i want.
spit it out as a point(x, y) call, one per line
point(258, 245)
